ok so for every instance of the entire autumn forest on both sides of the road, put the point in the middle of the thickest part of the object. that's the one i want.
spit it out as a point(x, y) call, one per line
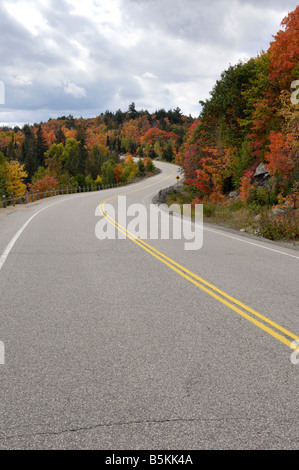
point(250, 121)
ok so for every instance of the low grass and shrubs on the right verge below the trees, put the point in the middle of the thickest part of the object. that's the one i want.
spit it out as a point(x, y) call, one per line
point(251, 218)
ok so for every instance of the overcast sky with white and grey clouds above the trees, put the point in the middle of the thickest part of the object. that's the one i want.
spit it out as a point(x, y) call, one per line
point(60, 57)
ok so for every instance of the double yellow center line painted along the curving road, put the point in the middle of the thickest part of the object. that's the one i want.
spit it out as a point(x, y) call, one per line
point(274, 329)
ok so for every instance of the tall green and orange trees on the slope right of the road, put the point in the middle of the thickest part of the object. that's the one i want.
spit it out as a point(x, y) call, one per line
point(252, 117)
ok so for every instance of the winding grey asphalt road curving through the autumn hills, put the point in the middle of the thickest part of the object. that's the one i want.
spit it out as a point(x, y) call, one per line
point(110, 345)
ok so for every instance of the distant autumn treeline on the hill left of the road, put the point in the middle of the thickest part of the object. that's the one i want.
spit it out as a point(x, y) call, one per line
point(67, 151)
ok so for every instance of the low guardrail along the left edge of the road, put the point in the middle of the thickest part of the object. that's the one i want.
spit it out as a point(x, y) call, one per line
point(30, 196)
